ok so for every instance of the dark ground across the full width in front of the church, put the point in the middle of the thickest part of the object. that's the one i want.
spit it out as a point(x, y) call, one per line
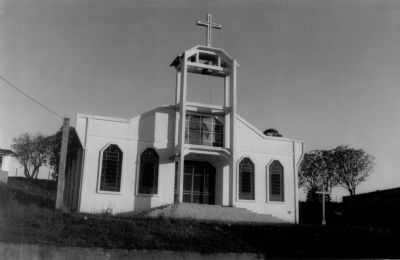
point(27, 216)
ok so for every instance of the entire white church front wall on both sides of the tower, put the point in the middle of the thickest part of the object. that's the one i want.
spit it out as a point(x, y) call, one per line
point(156, 129)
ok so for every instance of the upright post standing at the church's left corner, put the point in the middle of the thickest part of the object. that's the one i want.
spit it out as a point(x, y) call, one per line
point(62, 165)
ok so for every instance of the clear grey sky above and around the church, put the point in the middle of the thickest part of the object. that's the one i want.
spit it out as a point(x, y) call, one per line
point(323, 71)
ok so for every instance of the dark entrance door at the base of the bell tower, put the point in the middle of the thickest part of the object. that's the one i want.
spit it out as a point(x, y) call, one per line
point(199, 183)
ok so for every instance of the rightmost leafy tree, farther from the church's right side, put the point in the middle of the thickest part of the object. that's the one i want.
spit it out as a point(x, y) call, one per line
point(352, 166)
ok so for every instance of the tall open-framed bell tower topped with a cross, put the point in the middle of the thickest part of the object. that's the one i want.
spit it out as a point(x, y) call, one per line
point(216, 140)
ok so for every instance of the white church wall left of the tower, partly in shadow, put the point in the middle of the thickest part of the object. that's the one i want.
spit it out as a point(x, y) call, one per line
point(153, 129)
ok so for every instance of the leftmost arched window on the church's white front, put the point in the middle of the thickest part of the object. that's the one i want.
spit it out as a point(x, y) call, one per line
point(111, 166)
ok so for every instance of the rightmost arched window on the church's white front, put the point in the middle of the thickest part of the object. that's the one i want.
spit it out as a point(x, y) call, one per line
point(276, 187)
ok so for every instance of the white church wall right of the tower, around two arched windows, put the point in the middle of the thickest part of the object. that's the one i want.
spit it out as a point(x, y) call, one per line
point(262, 150)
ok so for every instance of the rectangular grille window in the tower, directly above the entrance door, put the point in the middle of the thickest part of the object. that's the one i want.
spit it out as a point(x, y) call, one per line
point(204, 130)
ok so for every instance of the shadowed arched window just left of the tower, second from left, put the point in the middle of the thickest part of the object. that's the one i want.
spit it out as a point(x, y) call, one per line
point(148, 175)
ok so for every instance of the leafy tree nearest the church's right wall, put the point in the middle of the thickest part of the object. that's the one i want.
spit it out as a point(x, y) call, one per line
point(317, 170)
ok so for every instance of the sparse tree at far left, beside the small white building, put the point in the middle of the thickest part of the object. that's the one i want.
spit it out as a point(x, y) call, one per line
point(32, 153)
